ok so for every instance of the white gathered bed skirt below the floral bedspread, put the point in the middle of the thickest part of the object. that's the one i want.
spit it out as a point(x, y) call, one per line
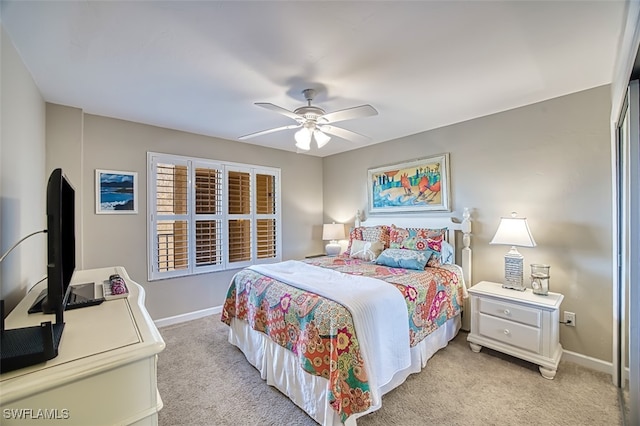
point(280, 368)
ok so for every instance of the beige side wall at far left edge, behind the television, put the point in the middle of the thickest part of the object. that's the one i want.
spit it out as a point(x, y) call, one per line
point(22, 176)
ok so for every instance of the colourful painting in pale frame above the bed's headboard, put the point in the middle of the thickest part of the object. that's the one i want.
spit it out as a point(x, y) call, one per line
point(417, 185)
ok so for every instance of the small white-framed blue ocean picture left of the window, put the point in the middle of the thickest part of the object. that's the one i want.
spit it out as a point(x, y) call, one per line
point(116, 192)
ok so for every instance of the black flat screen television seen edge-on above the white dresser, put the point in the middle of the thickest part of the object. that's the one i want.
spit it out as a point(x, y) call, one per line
point(61, 242)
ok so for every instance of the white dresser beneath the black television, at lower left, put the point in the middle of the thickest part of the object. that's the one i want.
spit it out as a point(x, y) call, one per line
point(105, 371)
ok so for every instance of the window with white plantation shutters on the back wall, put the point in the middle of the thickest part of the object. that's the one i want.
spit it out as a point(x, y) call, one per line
point(207, 215)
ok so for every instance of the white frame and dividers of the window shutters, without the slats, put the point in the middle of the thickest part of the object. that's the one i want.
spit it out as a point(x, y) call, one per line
point(191, 163)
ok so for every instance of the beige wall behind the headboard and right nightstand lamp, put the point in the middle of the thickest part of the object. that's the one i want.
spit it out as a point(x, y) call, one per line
point(549, 162)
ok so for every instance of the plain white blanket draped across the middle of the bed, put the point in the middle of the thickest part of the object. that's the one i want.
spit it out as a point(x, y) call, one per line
point(379, 314)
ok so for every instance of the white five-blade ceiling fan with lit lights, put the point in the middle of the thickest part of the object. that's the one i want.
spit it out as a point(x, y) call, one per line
point(315, 123)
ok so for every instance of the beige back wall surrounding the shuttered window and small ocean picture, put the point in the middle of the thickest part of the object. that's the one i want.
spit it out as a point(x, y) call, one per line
point(121, 239)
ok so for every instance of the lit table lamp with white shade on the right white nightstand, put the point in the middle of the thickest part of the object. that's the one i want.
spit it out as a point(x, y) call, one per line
point(513, 231)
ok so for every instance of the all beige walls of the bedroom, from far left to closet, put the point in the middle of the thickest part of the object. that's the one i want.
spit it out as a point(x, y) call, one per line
point(549, 161)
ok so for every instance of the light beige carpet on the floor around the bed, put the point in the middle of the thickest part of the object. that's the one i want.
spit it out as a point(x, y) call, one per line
point(204, 380)
